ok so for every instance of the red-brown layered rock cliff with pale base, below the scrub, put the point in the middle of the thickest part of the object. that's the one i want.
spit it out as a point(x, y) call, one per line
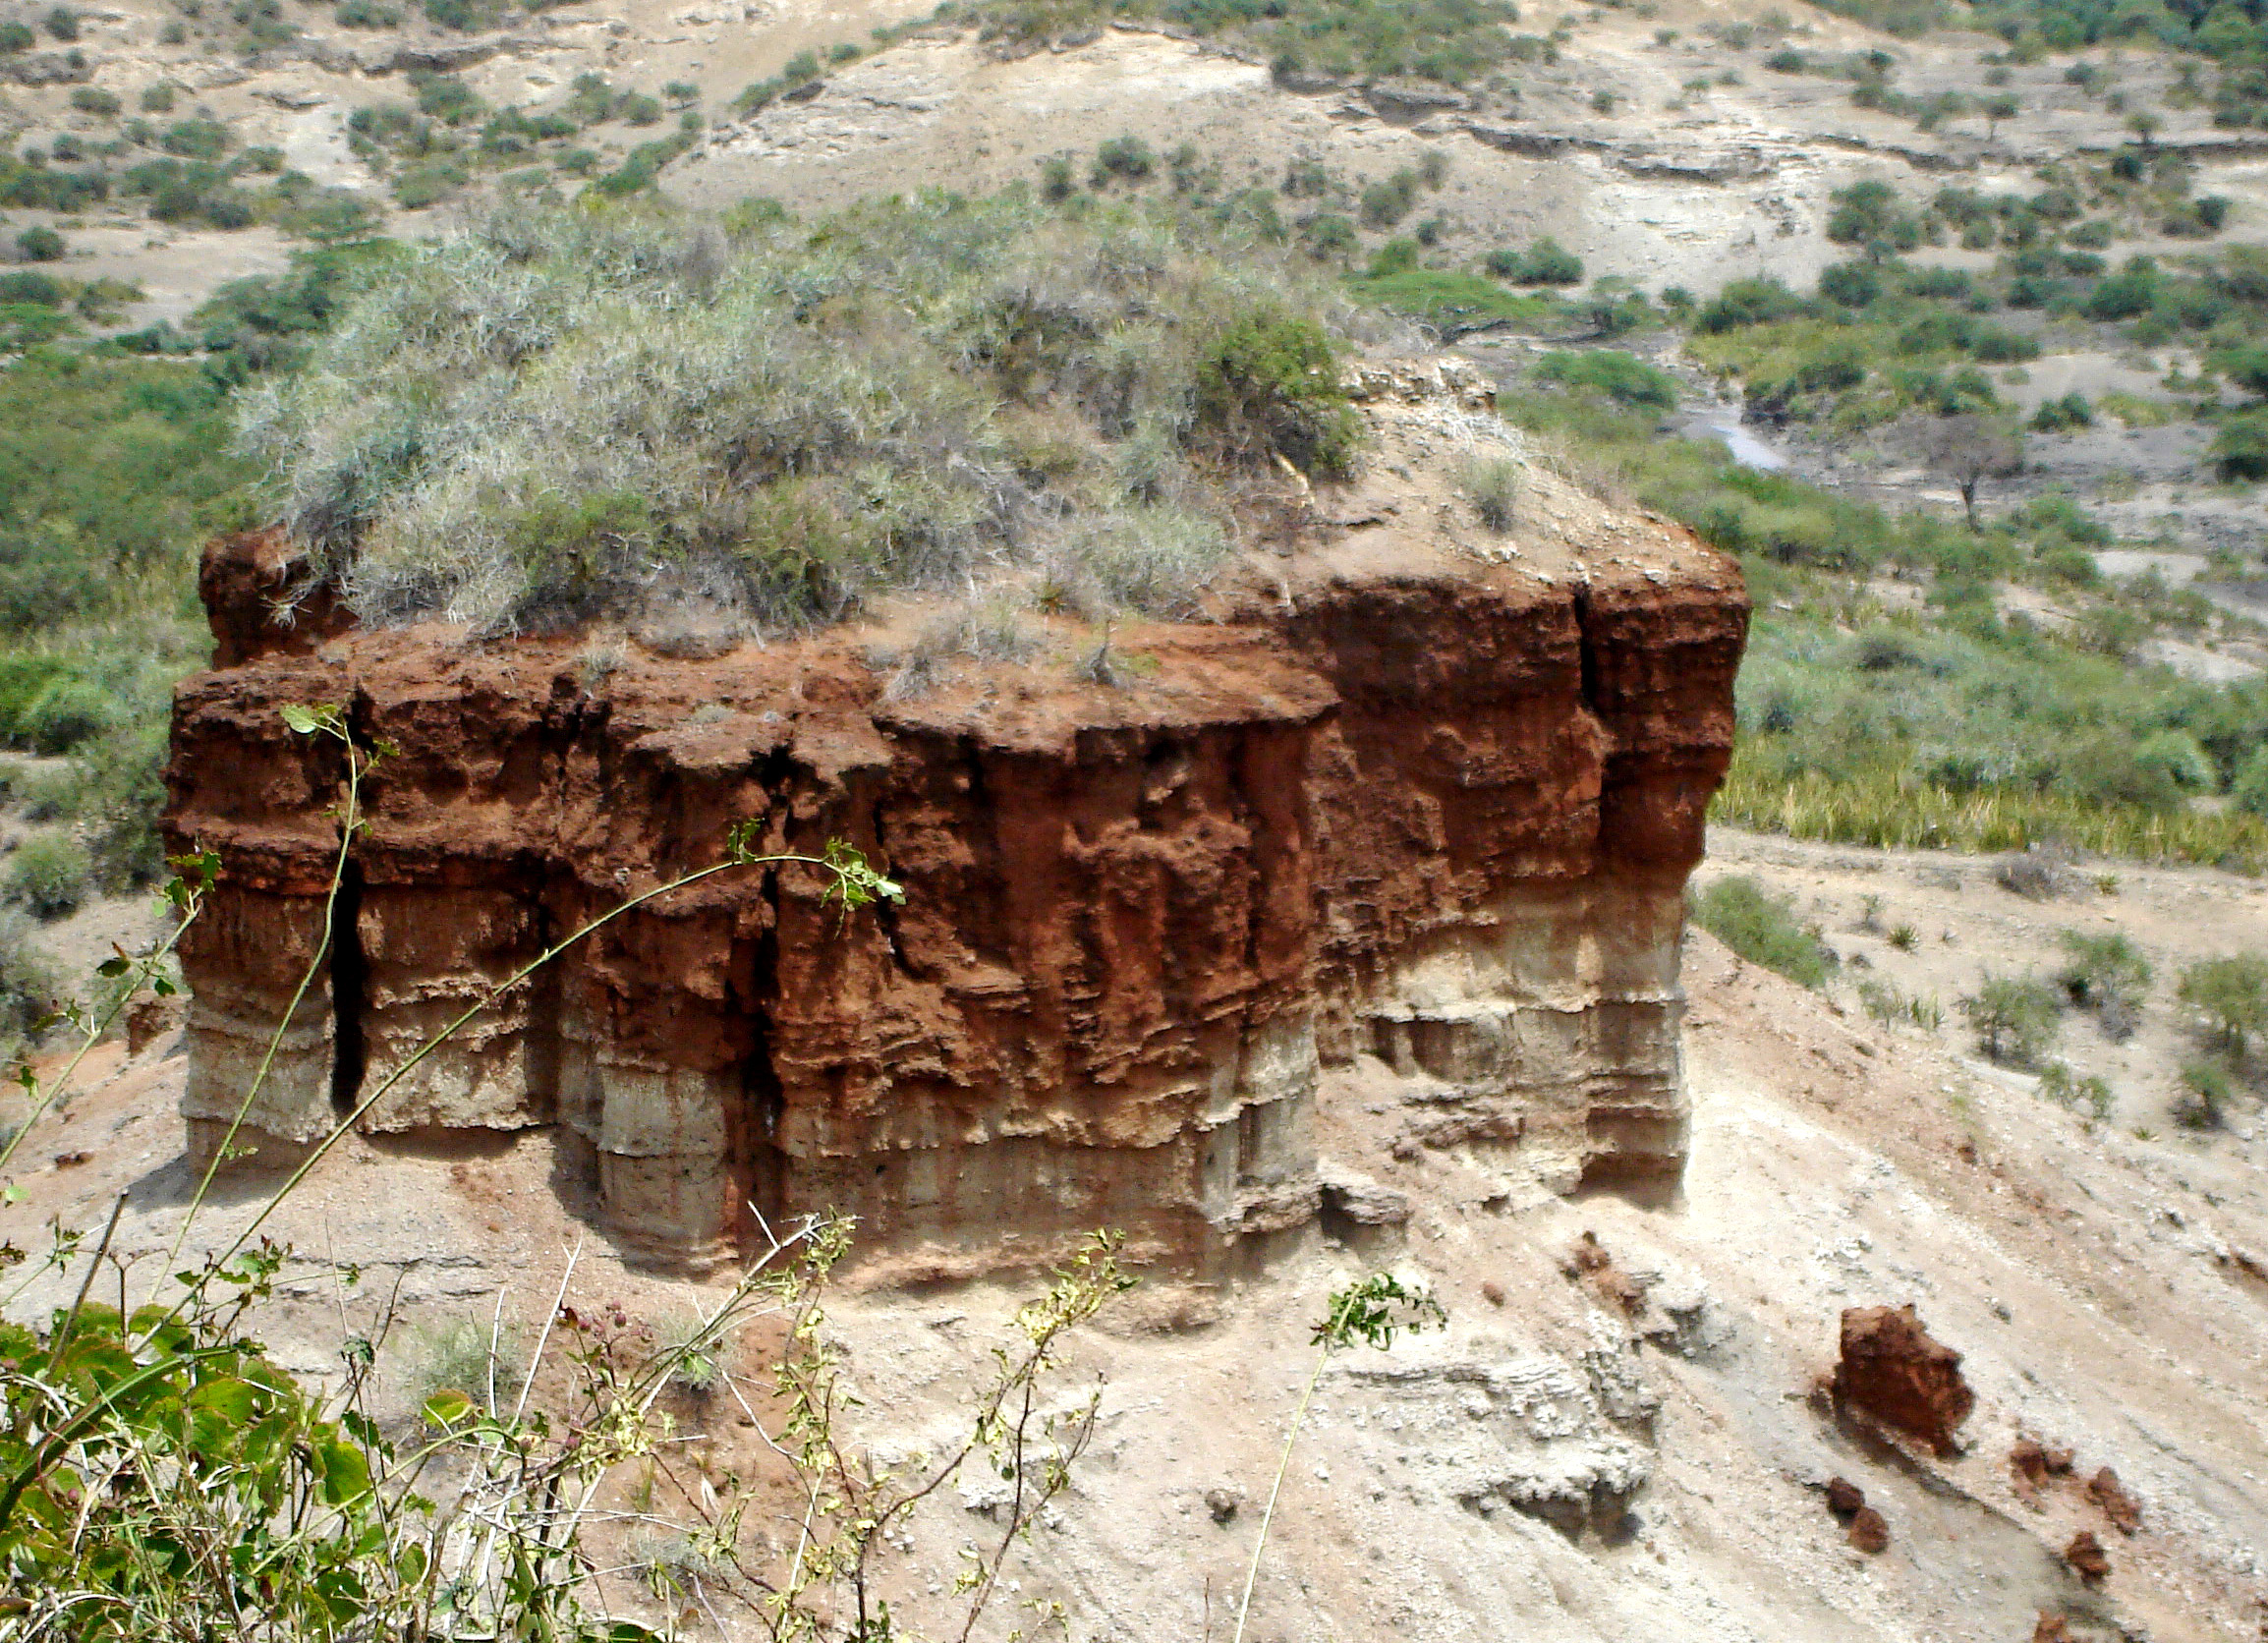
point(1435, 816)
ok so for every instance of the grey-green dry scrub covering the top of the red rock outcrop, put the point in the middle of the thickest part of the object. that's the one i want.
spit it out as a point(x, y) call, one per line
point(570, 412)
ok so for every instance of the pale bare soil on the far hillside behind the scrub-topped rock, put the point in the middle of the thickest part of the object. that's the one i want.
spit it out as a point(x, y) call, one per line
point(1673, 187)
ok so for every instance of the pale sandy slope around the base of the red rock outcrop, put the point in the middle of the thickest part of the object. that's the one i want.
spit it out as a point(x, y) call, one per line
point(2106, 1292)
